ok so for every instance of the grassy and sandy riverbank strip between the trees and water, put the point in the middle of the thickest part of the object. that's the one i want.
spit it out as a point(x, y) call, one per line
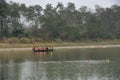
point(63, 45)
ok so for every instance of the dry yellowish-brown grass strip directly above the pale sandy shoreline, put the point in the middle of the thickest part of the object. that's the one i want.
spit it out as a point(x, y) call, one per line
point(60, 43)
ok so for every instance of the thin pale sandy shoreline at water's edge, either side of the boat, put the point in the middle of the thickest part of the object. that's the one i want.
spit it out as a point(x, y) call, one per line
point(64, 47)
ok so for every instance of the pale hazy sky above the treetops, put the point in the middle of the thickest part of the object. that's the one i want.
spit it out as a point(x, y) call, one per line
point(78, 3)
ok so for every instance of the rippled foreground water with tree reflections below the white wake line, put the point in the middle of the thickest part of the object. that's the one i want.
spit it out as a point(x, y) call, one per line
point(55, 70)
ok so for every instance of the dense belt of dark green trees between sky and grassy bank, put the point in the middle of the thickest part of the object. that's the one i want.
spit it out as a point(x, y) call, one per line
point(59, 22)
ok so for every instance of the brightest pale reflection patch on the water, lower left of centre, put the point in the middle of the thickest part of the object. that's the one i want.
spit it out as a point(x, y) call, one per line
point(31, 71)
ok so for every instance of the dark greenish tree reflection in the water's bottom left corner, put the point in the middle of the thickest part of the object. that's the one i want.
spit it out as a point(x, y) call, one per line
point(9, 71)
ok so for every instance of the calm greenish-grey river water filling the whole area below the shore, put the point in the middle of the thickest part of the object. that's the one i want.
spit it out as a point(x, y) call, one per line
point(70, 64)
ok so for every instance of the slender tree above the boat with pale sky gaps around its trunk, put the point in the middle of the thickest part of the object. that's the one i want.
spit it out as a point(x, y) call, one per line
point(33, 16)
